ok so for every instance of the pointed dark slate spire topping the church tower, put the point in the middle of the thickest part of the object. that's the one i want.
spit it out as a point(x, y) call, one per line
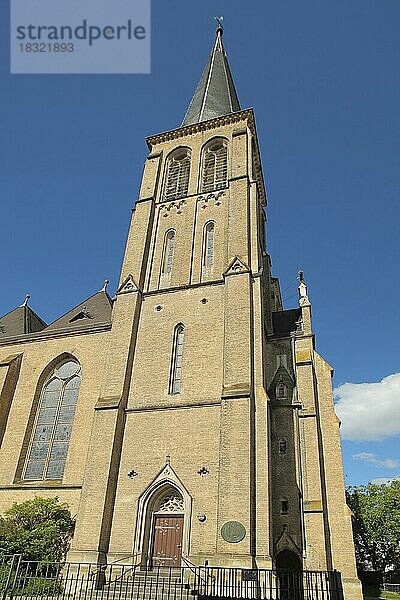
point(215, 95)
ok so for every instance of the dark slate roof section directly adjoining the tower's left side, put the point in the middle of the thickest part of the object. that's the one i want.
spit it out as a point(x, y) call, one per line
point(95, 310)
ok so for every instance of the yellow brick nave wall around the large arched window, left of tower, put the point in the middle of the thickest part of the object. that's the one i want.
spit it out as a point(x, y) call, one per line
point(36, 356)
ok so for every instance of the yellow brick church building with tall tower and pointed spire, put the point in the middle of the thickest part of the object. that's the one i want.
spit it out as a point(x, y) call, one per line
point(189, 417)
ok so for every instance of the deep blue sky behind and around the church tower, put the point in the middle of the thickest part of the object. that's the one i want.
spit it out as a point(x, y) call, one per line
point(324, 81)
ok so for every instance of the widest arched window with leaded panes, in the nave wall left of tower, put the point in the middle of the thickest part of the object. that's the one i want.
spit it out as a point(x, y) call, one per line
point(48, 446)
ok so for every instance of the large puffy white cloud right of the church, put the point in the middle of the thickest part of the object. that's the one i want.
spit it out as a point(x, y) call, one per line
point(369, 411)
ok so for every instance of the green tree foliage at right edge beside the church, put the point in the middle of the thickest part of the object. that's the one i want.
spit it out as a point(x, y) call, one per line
point(376, 525)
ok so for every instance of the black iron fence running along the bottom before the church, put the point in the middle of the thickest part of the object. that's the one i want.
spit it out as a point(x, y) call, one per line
point(84, 581)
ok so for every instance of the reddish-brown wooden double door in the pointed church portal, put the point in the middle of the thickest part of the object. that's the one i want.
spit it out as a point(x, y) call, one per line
point(167, 540)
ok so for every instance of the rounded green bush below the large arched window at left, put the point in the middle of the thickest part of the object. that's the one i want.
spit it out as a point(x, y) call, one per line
point(40, 529)
